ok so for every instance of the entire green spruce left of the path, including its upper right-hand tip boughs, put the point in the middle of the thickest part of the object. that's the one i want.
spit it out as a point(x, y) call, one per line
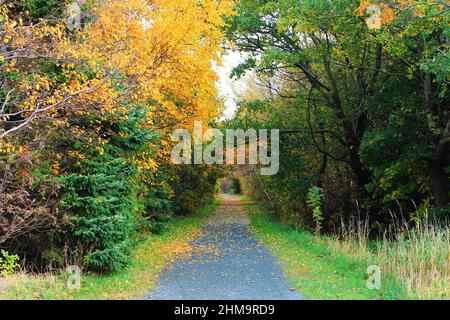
point(101, 196)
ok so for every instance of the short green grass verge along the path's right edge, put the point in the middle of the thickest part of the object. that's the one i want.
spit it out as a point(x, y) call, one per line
point(313, 269)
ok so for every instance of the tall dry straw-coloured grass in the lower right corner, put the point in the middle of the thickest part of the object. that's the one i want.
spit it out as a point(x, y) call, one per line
point(416, 258)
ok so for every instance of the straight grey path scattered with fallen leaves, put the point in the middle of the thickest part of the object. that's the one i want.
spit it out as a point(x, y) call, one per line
point(227, 263)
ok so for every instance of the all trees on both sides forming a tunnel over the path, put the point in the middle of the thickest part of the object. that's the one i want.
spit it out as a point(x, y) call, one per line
point(85, 125)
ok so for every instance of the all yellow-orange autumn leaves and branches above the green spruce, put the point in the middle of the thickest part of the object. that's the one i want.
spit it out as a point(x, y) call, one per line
point(154, 53)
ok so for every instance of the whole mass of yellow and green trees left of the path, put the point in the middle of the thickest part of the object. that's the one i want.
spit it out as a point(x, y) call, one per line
point(85, 115)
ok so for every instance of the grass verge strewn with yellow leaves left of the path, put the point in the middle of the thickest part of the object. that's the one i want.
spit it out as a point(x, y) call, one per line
point(150, 256)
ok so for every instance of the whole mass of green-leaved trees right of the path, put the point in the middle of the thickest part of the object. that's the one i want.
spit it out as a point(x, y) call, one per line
point(350, 102)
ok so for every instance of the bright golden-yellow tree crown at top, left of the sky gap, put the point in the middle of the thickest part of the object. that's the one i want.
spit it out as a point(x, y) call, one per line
point(165, 48)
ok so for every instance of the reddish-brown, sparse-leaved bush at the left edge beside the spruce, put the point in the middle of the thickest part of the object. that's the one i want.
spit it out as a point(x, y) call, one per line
point(29, 198)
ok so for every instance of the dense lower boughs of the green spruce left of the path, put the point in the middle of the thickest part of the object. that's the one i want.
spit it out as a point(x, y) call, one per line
point(100, 201)
